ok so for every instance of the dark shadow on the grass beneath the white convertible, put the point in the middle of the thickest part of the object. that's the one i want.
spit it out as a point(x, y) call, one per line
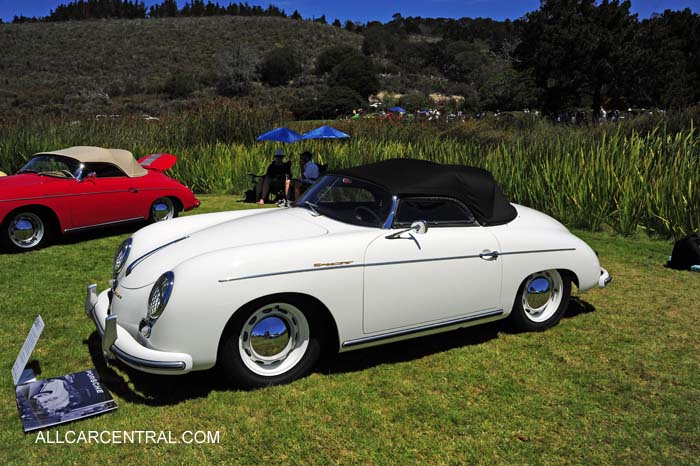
point(156, 390)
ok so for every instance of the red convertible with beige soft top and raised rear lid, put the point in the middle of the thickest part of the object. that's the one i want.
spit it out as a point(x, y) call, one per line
point(80, 188)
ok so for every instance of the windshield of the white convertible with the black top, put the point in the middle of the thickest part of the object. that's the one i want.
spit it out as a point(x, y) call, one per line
point(348, 200)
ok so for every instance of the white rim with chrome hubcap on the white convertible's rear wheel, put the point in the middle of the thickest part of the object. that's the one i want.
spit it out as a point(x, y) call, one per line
point(542, 295)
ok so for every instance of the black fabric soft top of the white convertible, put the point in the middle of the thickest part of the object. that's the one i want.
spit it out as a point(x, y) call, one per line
point(475, 187)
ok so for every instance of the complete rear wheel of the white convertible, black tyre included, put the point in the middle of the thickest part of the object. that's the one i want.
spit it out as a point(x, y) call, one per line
point(541, 301)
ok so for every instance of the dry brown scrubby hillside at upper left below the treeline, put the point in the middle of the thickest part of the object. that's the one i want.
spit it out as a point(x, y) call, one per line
point(123, 66)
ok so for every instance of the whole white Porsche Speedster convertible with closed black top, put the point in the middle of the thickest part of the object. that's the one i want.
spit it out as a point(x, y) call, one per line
point(369, 255)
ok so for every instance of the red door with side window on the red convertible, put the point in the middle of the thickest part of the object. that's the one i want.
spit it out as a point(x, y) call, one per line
point(107, 197)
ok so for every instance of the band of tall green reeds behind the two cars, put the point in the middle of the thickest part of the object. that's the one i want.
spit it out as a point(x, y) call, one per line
point(612, 176)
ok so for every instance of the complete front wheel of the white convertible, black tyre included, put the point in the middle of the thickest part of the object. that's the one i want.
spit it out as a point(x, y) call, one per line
point(271, 342)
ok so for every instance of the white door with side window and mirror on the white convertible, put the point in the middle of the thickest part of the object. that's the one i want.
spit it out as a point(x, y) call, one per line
point(420, 279)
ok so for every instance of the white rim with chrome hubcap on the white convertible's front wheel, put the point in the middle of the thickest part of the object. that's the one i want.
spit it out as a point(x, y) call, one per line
point(274, 339)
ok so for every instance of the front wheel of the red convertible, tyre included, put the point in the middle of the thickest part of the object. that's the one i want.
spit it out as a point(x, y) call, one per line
point(26, 231)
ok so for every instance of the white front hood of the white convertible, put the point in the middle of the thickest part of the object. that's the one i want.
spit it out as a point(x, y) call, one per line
point(266, 227)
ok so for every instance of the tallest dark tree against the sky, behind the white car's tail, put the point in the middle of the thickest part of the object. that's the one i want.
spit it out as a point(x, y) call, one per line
point(577, 49)
